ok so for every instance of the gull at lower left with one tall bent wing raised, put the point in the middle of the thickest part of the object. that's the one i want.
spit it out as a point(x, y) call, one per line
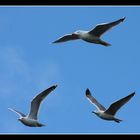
point(31, 118)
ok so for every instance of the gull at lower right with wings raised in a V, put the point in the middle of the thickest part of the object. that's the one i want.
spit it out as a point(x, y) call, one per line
point(108, 114)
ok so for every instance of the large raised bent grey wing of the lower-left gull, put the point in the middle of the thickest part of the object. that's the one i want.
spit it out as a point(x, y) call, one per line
point(35, 104)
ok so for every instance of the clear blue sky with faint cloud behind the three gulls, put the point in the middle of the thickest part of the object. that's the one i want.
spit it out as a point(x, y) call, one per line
point(30, 64)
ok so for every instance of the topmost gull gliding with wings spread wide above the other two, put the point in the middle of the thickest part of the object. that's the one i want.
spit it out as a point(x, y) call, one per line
point(92, 36)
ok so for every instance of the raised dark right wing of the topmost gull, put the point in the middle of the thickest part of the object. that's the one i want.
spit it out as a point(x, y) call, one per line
point(100, 29)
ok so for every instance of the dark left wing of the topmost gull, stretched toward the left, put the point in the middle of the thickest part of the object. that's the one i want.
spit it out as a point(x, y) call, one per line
point(67, 37)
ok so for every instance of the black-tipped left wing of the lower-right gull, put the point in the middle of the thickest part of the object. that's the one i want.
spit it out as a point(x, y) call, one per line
point(94, 101)
